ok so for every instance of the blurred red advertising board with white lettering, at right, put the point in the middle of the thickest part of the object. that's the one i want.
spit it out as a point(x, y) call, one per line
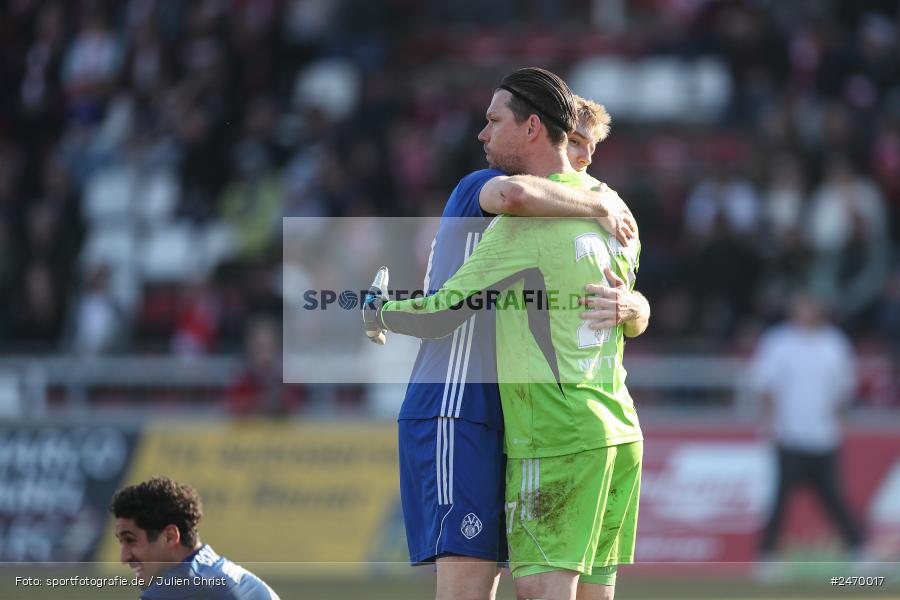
point(707, 492)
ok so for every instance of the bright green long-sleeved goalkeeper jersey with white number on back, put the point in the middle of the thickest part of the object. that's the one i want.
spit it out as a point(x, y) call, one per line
point(562, 384)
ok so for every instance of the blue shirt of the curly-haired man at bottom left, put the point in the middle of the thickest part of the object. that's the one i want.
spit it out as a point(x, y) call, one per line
point(206, 575)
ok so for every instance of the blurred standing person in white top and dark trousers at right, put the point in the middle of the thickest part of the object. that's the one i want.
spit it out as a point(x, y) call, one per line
point(805, 373)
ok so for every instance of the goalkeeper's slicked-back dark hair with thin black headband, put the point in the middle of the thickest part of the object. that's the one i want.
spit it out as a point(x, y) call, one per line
point(537, 91)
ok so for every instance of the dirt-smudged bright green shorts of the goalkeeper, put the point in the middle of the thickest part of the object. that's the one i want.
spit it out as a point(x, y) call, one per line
point(576, 512)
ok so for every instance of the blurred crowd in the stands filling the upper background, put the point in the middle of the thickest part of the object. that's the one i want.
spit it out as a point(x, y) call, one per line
point(149, 149)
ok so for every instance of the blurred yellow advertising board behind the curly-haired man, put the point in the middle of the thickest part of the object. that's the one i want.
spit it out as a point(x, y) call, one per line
point(325, 496)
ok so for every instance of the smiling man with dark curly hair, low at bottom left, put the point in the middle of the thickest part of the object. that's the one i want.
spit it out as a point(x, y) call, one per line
point(156, 525)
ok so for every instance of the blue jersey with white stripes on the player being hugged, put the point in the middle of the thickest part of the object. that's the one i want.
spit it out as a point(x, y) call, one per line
point(456, 376)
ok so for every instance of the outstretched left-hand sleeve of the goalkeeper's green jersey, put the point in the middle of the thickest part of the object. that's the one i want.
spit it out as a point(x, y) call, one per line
point(499, 259)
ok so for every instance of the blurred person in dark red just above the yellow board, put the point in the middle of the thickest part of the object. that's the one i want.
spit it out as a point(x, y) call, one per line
point(260, 390)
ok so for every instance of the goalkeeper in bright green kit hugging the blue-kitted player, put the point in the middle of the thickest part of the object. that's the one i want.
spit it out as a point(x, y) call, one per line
point(571, 431)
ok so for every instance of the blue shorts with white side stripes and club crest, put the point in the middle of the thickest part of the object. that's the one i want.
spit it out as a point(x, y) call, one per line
point(452, 475)
